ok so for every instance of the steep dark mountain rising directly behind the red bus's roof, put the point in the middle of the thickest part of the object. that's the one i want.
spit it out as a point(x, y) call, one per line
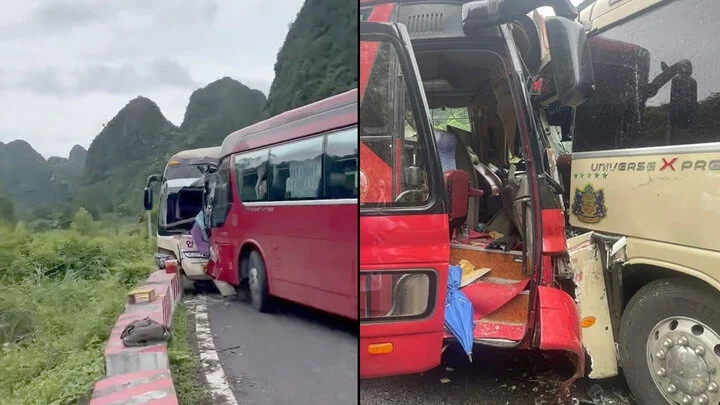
point(319, 57)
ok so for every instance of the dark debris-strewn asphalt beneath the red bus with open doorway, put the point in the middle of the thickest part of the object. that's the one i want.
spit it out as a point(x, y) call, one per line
point(497, 377)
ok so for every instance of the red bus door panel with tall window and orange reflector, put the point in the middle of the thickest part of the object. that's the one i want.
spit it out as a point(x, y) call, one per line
point(404, 249)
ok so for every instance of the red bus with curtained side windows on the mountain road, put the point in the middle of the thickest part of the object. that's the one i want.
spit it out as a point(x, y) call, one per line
point(283, 208)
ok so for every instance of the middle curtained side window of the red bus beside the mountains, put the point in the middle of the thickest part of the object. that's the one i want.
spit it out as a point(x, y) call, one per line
point(296, 170)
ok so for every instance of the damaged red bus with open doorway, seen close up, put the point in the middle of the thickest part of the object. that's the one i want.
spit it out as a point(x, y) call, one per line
point(455, 170)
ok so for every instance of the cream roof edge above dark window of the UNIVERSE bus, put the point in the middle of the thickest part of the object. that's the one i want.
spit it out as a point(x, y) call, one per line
point(602, 14)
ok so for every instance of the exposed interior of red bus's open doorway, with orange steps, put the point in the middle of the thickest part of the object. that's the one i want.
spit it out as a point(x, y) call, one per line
point(472, 109)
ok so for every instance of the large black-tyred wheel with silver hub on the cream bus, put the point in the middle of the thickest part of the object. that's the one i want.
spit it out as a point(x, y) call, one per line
point(669, 343)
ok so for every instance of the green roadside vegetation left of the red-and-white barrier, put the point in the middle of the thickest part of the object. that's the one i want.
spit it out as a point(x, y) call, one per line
point(60, 293)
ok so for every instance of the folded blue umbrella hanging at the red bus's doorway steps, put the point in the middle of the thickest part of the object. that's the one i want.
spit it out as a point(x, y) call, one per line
point(459, 311)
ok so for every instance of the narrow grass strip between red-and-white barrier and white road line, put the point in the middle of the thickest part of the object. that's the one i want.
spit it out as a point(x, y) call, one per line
point(185, 363)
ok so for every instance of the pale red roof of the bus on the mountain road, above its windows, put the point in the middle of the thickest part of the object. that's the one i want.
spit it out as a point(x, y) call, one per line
point(333, 112)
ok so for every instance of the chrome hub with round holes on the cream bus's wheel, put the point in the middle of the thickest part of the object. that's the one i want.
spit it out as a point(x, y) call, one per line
point(683, 356)
